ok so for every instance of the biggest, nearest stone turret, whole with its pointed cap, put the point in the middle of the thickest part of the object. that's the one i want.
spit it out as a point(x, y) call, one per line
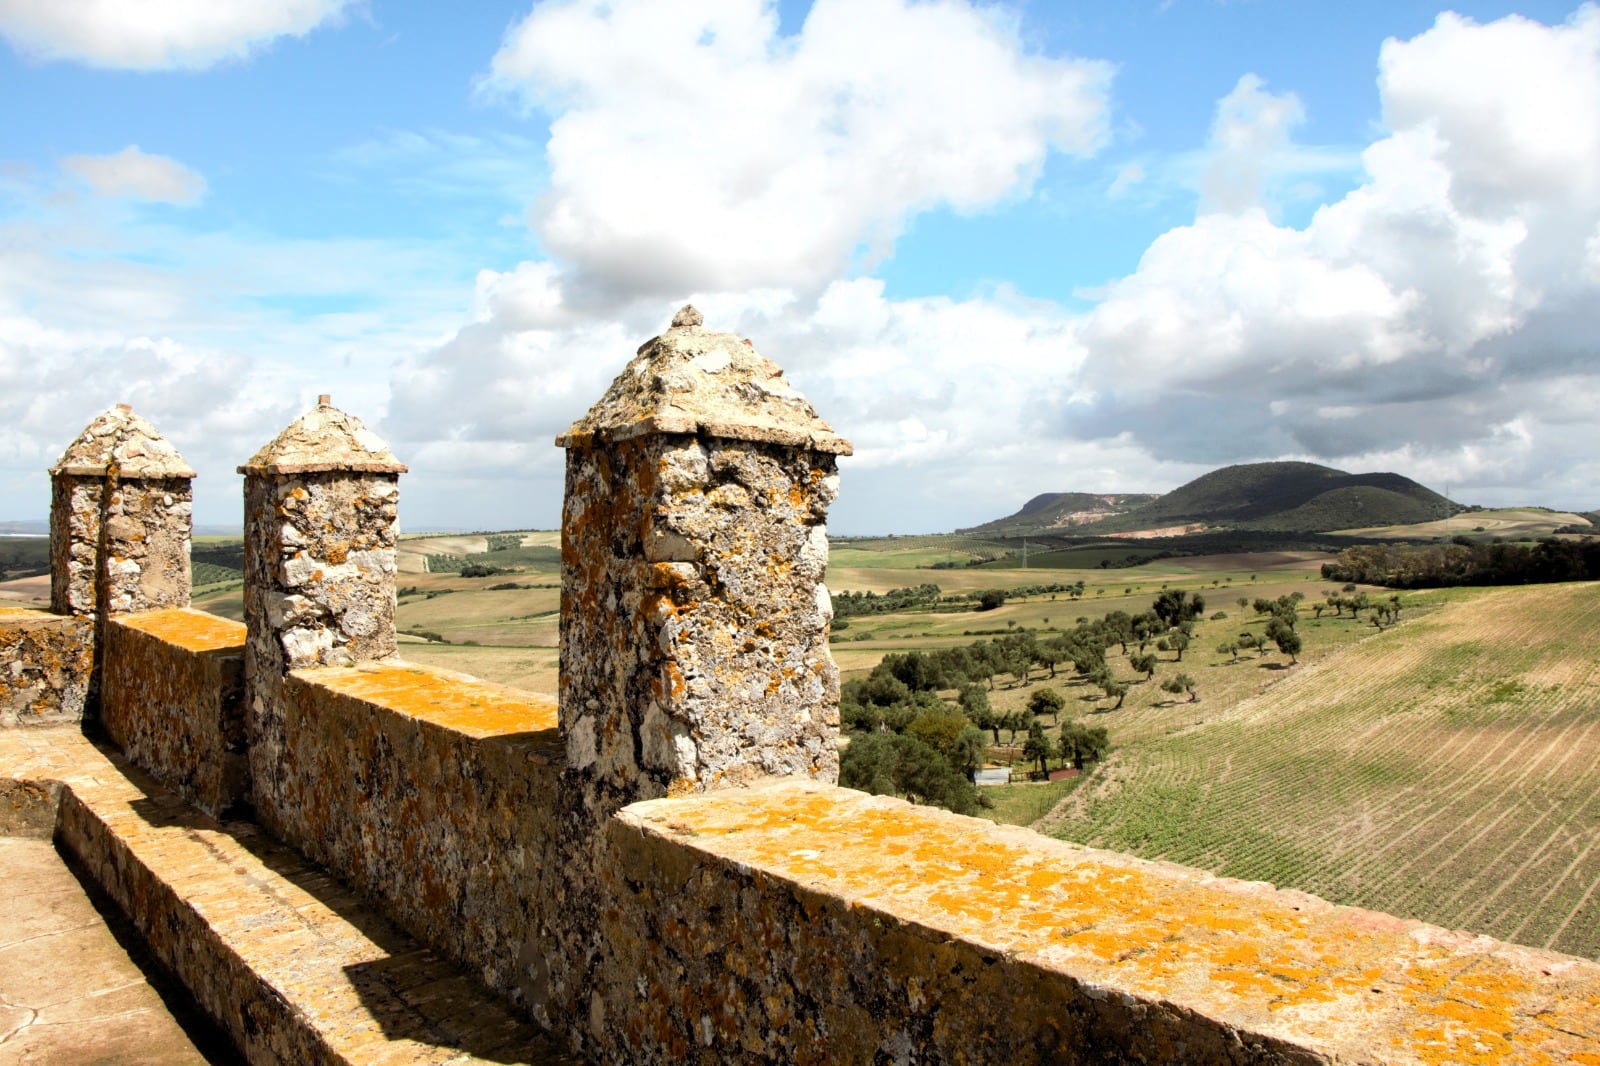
point(694, 542)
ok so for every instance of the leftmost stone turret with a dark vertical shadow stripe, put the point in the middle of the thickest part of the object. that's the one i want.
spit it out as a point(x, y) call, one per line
point(121, 518)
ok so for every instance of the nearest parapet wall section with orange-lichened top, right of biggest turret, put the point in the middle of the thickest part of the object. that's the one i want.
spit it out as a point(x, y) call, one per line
point(809, 924)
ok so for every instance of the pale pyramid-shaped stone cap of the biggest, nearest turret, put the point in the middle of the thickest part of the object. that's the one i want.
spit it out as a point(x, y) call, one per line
point(695, 382)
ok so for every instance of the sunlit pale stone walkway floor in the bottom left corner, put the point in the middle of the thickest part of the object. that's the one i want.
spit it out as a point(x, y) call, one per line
point(70, 995)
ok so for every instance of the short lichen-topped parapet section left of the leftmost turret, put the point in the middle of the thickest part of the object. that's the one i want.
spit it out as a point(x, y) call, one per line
point(46, 663)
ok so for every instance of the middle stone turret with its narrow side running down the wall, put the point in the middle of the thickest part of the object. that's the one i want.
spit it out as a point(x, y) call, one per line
point(321, 508)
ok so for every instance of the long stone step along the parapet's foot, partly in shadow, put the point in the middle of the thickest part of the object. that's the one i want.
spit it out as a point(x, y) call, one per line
point(292, 964)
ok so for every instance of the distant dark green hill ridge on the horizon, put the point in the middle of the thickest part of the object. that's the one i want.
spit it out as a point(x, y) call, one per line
point(1286, 497)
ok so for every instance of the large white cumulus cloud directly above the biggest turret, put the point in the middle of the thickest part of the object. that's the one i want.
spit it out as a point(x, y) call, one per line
point(695, 148)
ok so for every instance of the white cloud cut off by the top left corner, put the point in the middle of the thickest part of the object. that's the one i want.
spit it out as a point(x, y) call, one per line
point(156, 34)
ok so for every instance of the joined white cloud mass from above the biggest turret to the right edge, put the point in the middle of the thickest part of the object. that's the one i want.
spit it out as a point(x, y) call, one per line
point(1439, 319)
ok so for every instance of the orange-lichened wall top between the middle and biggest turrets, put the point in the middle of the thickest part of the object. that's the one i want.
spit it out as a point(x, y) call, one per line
point(447, 700)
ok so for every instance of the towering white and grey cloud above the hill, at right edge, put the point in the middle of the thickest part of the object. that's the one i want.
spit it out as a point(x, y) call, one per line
point(1418, 318)
